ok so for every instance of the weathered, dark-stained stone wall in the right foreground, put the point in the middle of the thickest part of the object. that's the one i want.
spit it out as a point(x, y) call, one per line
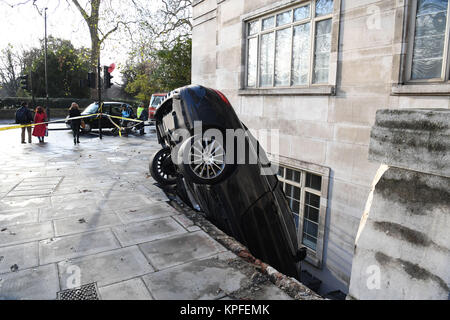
point(403, 246)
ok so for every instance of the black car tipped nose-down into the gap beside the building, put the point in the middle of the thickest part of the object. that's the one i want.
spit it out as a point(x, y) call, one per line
point(234, 194)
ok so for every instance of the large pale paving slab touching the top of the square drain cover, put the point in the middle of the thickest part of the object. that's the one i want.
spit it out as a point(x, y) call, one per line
point(106, 268)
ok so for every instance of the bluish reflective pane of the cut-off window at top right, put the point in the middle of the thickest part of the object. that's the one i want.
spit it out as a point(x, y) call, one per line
point(429, 39)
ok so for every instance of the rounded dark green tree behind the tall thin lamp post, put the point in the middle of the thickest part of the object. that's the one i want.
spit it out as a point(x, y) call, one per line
point(66, 66)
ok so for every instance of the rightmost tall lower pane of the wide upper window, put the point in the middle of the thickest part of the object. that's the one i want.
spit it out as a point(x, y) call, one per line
point(322, 51)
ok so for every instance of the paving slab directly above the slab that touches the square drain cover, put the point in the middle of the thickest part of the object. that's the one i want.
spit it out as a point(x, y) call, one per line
point(69, 247)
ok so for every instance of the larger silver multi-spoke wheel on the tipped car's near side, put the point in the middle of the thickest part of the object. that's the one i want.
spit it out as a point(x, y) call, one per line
point(209, 168)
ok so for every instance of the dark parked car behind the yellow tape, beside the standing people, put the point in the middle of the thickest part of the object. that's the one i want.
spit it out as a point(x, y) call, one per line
point(111, 108)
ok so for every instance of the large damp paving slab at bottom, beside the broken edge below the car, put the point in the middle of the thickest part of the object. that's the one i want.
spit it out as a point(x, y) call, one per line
point(206, 279)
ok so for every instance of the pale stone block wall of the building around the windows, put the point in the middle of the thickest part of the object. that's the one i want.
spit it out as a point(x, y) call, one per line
point(328, 127)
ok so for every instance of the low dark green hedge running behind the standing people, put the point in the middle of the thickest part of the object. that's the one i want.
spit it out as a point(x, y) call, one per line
point(54, 103)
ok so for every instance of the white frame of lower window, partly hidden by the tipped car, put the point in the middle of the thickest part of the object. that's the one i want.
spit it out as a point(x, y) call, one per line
point(314, 257)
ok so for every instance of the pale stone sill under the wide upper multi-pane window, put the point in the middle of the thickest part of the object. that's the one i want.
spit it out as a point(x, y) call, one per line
point(311, 91)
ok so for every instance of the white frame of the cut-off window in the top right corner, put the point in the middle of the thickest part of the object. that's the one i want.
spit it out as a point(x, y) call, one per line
point(411, 25)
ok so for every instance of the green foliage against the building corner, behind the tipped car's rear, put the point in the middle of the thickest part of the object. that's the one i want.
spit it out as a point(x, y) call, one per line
point(161, 70)
